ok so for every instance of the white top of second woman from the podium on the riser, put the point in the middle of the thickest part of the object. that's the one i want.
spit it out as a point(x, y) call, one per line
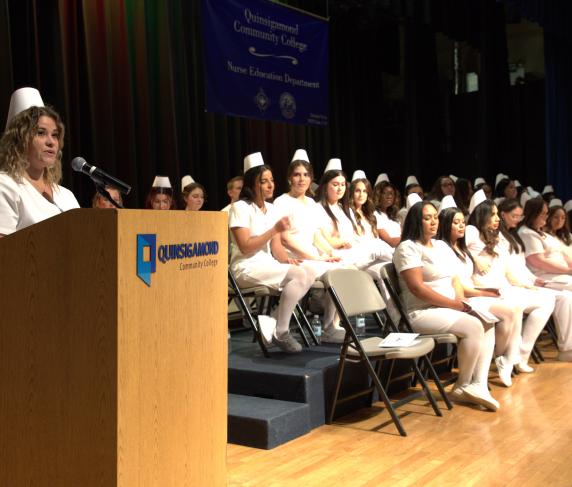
point(303, 214)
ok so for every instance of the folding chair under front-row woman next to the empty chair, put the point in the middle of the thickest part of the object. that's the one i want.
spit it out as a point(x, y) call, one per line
point(391, 282)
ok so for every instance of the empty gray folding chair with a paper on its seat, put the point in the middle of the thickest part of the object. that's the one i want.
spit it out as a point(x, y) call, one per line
point(354, 292)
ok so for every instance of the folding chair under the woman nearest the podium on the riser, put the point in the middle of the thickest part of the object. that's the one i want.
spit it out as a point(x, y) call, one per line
point(265, 295)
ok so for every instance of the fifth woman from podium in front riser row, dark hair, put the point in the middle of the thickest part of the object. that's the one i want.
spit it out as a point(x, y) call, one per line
point(386, 209)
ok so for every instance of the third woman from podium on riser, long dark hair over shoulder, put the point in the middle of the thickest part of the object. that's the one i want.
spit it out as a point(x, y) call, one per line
point(337, 228)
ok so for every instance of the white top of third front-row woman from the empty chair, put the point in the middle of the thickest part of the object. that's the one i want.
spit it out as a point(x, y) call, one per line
point(496, 276)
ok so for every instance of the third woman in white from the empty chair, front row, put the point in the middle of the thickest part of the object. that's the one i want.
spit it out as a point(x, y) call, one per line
point(493, 270)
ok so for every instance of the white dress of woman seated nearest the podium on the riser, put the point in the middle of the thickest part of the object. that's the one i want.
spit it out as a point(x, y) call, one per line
point(259, 267)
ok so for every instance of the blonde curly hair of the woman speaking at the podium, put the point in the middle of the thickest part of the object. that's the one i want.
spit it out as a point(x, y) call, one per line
point(18, 137)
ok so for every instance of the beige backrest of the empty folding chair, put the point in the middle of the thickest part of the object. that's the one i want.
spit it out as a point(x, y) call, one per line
point(356, 291)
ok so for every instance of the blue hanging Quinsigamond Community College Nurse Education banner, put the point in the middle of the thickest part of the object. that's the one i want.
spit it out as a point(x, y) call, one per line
point(265, 61)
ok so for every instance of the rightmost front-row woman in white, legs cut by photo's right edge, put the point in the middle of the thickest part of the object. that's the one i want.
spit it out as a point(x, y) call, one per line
point(548, 260)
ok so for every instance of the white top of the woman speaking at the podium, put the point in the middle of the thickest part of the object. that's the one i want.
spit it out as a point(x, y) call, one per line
point(21, 205)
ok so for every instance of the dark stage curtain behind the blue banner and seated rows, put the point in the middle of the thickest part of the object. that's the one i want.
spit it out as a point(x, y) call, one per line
point(126, 75)
